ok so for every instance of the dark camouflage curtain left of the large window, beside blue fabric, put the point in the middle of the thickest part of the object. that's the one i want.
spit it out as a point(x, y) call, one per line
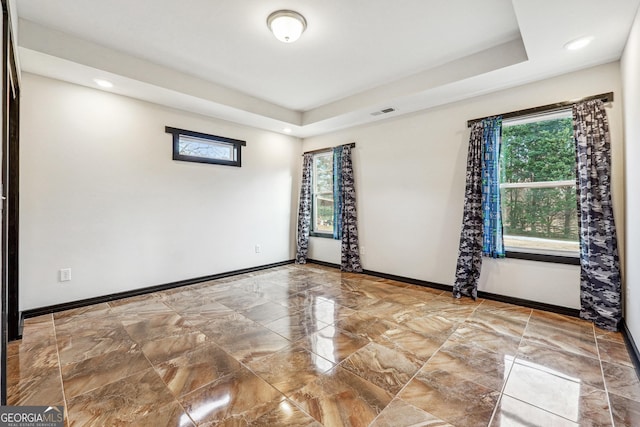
point(470, 251)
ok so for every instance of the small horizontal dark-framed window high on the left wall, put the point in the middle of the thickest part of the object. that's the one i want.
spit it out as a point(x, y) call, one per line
point(199, 147)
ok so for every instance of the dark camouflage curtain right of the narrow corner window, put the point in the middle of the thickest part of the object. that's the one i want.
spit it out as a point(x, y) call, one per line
point(350, 246)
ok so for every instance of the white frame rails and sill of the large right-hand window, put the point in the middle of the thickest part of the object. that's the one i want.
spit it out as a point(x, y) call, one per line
point(544, 255)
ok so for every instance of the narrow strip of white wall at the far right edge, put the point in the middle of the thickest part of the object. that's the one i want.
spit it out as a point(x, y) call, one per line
point(630, 67)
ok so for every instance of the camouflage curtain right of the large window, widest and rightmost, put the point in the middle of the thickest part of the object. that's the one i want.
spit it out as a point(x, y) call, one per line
point(599, 265)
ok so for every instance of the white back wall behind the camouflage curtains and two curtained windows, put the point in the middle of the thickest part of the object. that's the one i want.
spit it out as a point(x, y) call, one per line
point(410, 175)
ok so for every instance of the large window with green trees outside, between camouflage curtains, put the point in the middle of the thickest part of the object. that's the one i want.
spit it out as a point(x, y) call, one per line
point(538, 186)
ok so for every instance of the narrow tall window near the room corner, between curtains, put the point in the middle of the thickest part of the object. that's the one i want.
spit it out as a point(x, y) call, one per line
point(322, 198)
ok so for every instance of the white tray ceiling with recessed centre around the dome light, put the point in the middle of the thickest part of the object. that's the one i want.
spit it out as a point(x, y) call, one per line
point(217, 57)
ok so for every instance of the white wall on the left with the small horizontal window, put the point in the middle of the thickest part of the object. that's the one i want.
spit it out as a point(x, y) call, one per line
point(100, 194)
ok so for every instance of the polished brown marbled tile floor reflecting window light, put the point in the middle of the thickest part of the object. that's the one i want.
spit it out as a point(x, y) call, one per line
point(309, 346)
